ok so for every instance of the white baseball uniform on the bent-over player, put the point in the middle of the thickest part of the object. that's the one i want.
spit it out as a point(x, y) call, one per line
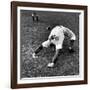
point(59, 32)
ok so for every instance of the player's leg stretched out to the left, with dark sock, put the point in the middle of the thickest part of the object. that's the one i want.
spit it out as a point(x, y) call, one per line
point(44, 44)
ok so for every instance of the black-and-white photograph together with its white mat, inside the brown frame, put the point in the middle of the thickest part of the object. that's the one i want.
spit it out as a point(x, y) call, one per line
point(50, 45)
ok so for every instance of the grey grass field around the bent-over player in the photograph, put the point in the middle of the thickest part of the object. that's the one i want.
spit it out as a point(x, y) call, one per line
point(34, 33)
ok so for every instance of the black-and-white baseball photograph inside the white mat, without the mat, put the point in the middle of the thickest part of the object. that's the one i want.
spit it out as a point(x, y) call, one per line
point(49, 43)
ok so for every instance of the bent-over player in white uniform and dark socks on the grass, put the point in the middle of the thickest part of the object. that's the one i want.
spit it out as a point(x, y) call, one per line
point(56, 37)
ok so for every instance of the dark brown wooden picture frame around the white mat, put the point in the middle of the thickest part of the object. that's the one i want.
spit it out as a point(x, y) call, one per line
point(14, 47)
